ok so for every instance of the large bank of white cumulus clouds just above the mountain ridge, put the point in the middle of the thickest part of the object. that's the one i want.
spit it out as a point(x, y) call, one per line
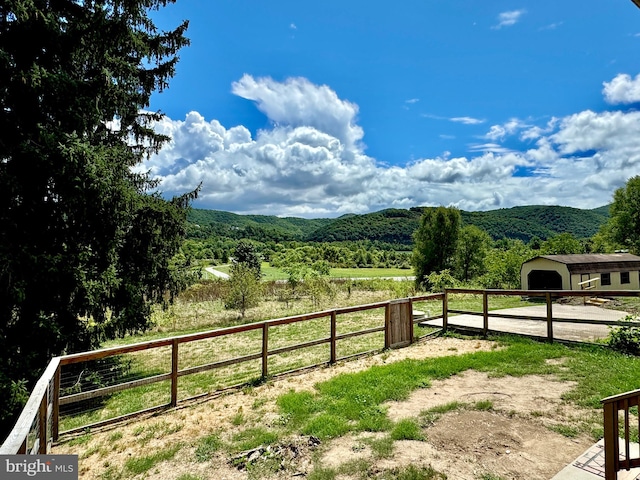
point(311, 162)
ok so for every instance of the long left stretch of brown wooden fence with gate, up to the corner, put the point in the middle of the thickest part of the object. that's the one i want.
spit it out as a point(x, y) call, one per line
point(39, 423)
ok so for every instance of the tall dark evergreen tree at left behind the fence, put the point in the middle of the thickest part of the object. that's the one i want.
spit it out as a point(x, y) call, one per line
point(85, 244)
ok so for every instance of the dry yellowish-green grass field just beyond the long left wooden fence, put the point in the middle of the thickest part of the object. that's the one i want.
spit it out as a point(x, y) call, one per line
point(191, 316)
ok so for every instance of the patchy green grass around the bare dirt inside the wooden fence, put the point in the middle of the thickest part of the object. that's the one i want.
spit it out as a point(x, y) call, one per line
point(354, 403)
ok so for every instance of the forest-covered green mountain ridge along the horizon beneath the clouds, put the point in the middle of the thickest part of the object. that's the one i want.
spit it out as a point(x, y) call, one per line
point(397, 225)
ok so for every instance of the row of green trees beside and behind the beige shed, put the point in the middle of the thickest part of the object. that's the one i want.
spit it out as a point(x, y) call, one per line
point(446, 253)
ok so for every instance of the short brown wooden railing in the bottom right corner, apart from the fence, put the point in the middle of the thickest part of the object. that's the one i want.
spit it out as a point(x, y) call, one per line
point(612, 407)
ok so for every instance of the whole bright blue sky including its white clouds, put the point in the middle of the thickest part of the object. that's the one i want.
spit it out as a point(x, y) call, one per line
point(295, 108)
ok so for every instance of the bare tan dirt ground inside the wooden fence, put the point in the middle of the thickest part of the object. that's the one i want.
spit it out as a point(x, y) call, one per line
point(510, 440)
